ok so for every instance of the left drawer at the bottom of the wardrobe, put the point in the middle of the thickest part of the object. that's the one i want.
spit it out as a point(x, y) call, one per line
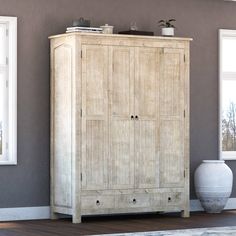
point(97, 202)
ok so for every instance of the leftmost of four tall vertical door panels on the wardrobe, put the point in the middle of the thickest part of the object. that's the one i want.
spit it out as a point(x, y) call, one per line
point(94, 117)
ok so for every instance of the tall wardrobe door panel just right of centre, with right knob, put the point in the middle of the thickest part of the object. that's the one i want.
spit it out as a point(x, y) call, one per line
point(146, 124)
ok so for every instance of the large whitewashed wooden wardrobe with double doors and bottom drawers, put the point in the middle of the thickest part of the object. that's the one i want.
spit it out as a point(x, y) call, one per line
point(119, 124)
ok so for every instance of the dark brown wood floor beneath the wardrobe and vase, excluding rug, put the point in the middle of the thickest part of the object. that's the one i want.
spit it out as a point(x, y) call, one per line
point(116, 224)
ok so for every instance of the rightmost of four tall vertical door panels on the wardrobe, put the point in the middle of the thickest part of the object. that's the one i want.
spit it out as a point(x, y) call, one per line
point(172, 118)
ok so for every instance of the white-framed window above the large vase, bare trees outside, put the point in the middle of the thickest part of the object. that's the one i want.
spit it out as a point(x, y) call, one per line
point(227, 87)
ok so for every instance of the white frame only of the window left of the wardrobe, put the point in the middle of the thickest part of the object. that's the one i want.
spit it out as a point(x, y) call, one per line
point(11, 60)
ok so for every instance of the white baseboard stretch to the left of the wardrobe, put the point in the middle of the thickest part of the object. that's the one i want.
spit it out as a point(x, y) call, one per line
point(24, 213)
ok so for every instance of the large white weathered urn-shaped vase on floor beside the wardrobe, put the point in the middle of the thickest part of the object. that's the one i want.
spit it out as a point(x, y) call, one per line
point(213, 184)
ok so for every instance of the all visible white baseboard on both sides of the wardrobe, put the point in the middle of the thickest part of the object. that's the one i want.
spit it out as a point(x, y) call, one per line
point(38, 213)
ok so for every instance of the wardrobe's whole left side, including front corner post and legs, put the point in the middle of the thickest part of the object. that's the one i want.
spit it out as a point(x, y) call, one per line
point(65, 167)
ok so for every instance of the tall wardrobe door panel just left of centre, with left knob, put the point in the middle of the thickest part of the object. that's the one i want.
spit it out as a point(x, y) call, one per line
point(121, 108)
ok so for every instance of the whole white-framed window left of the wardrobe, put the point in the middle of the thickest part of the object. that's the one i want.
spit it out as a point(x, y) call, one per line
point(8, 85)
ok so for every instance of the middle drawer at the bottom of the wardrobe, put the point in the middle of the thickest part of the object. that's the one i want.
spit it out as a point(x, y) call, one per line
point(138, 200)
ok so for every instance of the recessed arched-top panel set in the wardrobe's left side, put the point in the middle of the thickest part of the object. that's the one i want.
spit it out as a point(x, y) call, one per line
point(62, 115)
